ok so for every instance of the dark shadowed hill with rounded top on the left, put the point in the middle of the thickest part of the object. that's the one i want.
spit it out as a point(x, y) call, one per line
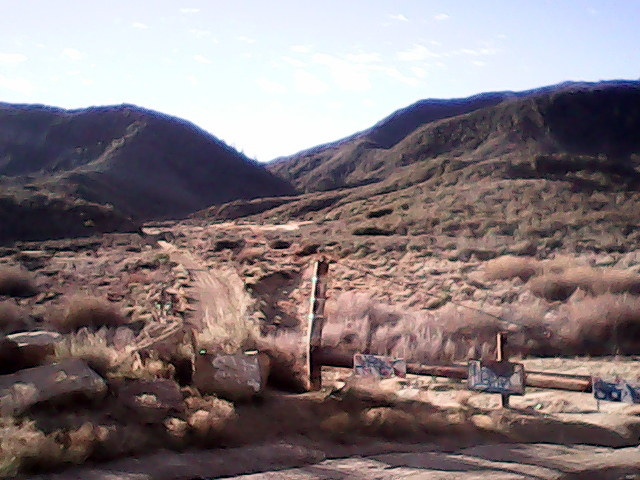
point(136, 163)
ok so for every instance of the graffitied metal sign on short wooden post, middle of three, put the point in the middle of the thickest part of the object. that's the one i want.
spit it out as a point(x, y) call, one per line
point(496, 377)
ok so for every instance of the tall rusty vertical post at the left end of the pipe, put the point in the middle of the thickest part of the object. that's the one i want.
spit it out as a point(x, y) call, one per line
point(316, 320)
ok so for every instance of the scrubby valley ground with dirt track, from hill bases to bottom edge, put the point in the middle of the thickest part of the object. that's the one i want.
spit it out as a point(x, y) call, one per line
point(125, 304)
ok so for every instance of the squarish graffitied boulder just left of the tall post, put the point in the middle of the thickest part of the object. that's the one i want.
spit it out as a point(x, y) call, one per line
point(238, 377)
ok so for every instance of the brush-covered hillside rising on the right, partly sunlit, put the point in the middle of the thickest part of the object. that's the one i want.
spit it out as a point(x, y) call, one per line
point(559, 166)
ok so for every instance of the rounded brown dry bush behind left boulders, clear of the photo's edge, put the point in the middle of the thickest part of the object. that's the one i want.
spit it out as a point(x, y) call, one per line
point(90, 312)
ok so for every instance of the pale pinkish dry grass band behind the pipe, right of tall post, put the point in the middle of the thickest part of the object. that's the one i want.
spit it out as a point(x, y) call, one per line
point(357, 323)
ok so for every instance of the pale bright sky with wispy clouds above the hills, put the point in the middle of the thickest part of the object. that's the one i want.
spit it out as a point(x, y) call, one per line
point(271, 78)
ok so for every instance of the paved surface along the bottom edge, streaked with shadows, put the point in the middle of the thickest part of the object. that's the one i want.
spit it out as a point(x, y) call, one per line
point(288, 462)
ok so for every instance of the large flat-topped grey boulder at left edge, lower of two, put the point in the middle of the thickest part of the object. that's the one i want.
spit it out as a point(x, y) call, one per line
point(56, 383)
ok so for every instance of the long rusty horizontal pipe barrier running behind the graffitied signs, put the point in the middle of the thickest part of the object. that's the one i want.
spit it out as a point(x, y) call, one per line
point(556, 381)
